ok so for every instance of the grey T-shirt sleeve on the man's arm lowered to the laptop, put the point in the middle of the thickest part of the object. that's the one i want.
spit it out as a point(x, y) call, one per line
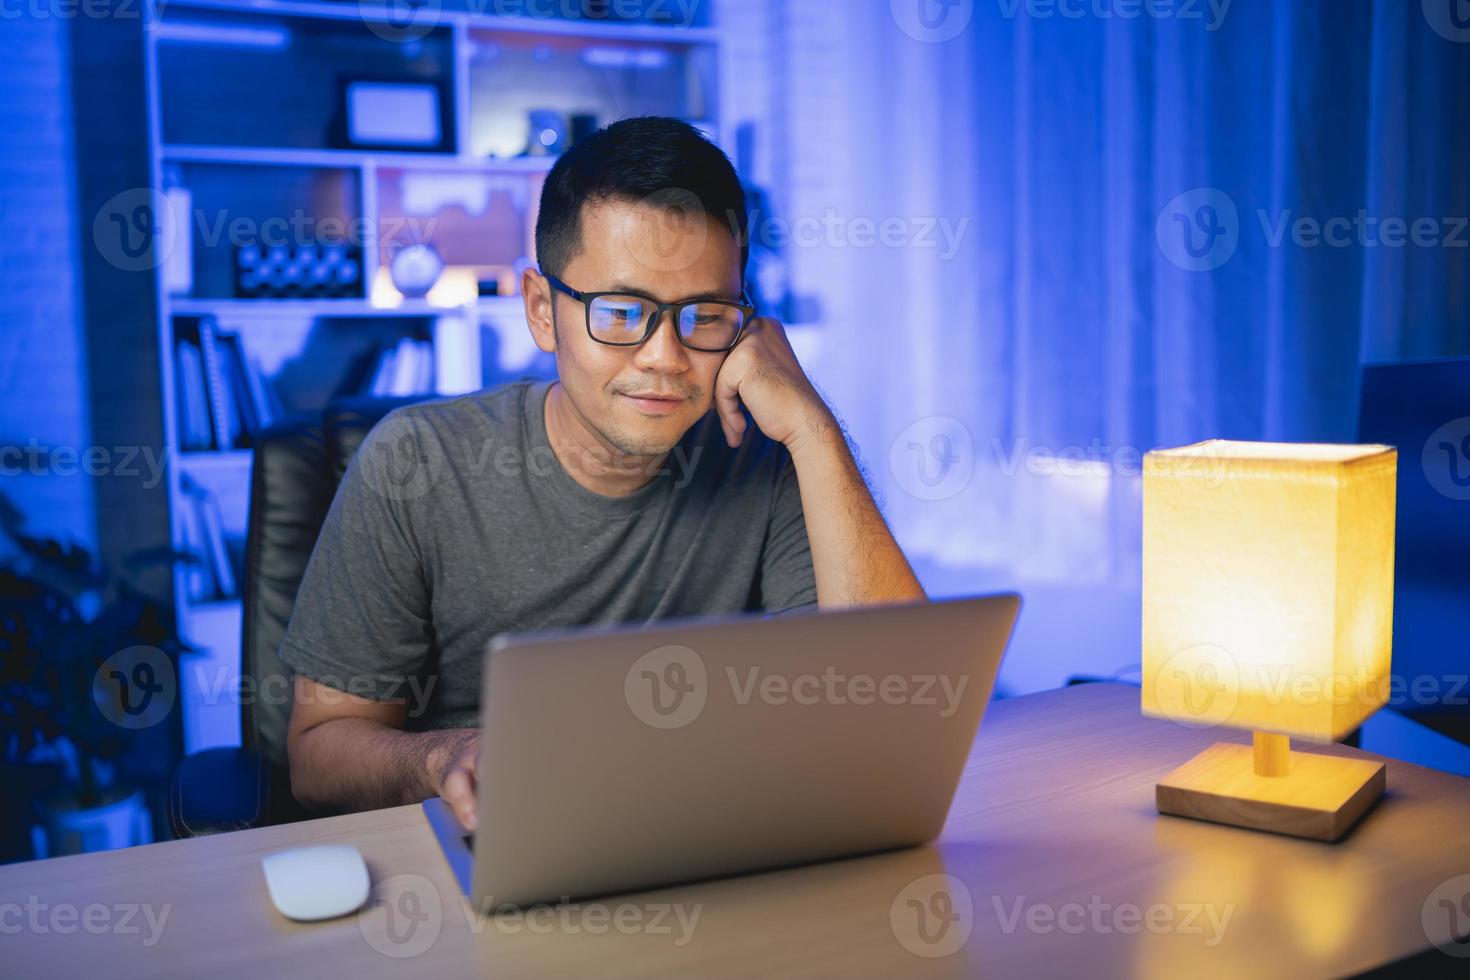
point(362, 621)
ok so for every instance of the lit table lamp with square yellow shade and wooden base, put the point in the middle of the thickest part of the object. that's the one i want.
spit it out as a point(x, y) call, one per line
point(1269, 606)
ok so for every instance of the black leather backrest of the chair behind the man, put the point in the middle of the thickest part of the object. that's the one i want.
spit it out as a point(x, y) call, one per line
point(298, 468)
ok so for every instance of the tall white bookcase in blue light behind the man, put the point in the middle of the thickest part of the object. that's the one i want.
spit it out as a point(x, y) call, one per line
point(245, 104)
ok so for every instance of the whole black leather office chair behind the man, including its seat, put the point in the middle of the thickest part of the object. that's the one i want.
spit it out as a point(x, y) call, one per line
point(298, 468)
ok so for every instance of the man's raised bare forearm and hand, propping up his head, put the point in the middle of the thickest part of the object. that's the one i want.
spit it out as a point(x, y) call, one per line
point(855, 558)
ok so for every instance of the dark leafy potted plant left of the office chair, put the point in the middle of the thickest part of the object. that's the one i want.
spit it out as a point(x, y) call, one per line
point(87, 668)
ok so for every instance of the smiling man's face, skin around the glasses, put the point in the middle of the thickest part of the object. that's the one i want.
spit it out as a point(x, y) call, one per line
point(665, 253)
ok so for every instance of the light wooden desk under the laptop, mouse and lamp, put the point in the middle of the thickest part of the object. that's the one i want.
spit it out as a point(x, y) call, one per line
point(1053, 837)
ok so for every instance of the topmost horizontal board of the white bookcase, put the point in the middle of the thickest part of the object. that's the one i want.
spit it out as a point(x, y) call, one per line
point(583, 29)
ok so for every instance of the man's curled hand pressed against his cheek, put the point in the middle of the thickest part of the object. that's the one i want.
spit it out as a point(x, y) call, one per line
point(762, 371)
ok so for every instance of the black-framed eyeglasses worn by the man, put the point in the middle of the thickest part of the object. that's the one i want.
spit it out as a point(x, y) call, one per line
point(628, 320)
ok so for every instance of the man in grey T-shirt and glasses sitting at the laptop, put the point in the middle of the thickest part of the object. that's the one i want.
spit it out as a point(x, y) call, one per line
point(630, 490)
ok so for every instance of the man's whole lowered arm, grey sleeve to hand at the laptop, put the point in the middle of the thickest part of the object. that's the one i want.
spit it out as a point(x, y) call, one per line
point(361, 625)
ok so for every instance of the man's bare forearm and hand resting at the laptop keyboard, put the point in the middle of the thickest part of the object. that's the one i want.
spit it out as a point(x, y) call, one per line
point(354, 754)
